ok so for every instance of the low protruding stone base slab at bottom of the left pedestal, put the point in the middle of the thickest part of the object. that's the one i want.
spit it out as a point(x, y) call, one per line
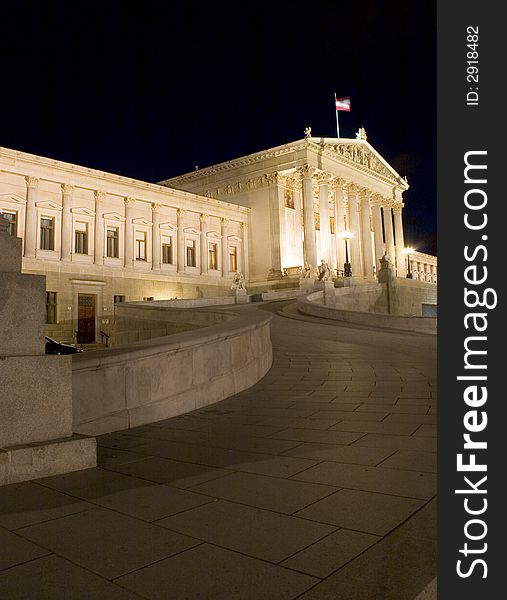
point(32, 461)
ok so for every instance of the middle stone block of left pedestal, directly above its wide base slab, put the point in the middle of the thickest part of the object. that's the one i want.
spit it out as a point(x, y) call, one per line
point(36, 402)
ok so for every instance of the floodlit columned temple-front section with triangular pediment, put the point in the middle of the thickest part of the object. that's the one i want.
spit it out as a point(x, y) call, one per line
point(303, 196)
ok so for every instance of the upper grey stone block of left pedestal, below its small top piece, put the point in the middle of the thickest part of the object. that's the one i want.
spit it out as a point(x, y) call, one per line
point(22, 314)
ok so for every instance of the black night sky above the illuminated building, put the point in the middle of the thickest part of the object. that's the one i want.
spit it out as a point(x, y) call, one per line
point(151, 89)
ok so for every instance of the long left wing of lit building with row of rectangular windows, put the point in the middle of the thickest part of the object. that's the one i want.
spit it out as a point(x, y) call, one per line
point(101, 238)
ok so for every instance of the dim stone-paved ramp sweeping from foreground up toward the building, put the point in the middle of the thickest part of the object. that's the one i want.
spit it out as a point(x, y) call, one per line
point(318, 483)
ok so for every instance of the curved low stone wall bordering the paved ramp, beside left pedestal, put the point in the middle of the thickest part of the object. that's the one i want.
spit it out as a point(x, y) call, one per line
point(159, 378)
